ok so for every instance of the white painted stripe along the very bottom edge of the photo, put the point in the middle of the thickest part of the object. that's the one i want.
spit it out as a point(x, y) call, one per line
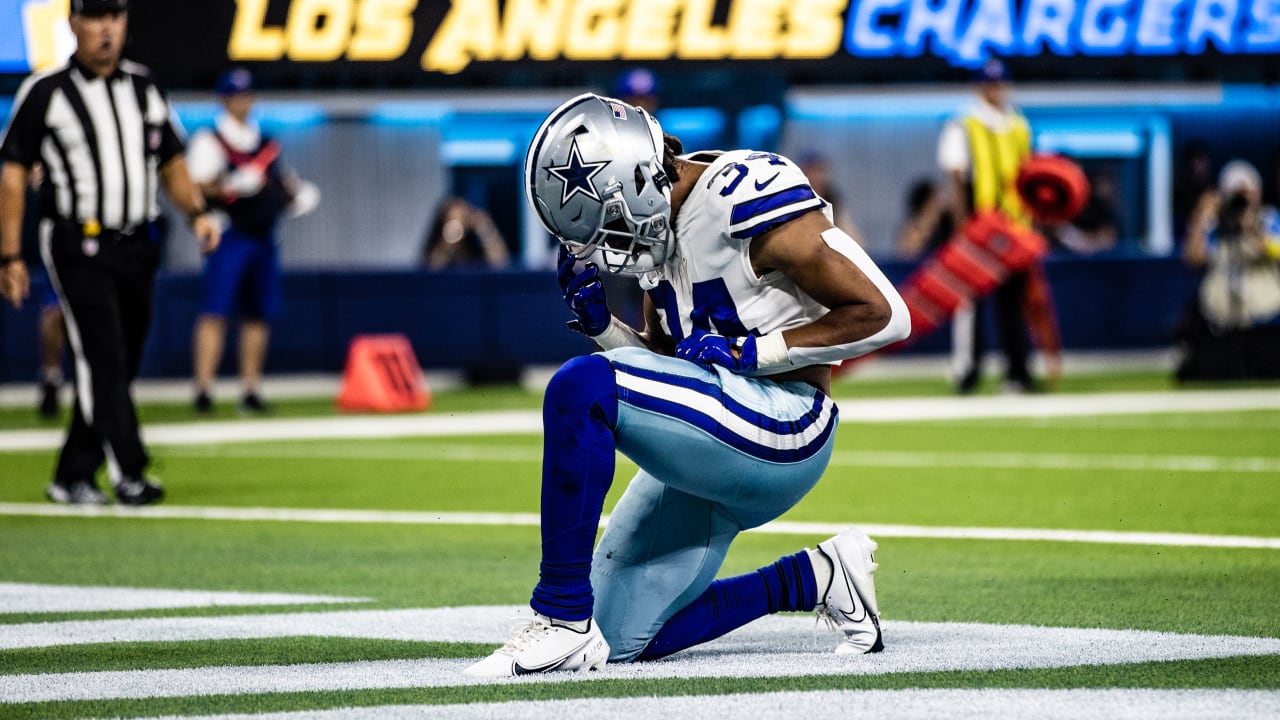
point(881, 705)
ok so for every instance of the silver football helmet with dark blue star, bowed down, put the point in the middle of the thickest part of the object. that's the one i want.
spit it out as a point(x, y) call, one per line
point(595, 177)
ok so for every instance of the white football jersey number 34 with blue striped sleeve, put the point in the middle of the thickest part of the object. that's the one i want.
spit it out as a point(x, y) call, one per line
point(708, 281)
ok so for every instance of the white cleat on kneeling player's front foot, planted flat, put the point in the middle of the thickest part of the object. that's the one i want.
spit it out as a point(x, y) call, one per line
point(545, 645)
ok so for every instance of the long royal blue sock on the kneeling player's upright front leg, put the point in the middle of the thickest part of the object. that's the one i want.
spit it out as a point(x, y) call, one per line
point(580, 411)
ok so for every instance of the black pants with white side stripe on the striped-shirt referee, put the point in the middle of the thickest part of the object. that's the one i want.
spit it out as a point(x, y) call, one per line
point(106, 288)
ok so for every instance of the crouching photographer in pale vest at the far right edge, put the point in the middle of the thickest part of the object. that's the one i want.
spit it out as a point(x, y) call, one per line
point(1236, 240)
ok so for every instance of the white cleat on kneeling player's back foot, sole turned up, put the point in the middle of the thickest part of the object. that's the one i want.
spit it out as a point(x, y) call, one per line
point(851, 600)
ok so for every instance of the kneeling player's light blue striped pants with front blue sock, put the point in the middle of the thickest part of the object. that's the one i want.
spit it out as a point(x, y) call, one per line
point(719, 454)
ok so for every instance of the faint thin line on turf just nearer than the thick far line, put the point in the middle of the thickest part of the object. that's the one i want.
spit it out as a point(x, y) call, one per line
point(848, 459)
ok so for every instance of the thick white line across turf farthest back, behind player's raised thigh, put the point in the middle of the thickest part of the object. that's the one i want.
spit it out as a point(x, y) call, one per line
point(519, 422)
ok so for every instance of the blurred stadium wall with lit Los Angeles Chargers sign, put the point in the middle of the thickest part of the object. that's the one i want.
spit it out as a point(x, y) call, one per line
point(390, 106)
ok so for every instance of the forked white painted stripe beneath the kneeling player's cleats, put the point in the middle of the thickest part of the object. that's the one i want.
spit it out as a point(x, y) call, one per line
point(772, 648)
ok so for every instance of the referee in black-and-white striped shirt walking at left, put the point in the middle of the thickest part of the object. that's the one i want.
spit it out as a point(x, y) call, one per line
point(103, 133)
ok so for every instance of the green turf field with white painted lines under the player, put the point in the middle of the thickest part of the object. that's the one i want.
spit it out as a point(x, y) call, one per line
point(1168, 522)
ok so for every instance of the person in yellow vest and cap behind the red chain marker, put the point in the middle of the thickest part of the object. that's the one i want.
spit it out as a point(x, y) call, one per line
point(981, 153)
